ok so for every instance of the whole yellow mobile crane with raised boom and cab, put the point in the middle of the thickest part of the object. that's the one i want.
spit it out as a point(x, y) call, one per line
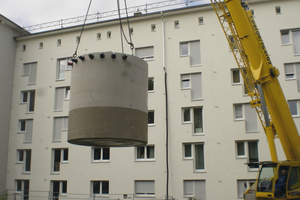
point(276, 179)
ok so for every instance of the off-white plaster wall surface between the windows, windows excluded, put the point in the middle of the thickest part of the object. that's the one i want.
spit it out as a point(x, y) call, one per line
point(222, 168)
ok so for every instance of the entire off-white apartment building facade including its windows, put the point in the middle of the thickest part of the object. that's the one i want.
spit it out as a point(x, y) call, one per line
point(196, 104)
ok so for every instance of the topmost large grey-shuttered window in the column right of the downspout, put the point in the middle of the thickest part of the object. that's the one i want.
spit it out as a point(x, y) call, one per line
point(191, 49)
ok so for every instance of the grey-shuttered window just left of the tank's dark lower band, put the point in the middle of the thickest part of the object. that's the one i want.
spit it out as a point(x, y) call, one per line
point(60, 125)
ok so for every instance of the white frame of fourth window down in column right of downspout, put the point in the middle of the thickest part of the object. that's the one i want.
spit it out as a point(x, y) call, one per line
point(193, 155)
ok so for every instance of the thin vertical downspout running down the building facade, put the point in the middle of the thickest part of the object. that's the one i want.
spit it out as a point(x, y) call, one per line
point(166, 101)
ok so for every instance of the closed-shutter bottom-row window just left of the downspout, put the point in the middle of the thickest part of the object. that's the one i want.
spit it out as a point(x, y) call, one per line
point(144, 188)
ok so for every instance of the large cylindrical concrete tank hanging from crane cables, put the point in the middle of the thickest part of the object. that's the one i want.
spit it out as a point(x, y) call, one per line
point(108, 101)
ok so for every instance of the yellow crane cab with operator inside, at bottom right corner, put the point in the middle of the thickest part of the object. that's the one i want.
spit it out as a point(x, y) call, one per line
point(276, 181)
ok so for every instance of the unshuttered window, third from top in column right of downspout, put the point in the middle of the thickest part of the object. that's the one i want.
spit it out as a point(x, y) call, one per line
point(193, 116)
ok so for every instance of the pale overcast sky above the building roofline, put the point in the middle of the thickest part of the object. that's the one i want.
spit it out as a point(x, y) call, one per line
point(32, 12)
